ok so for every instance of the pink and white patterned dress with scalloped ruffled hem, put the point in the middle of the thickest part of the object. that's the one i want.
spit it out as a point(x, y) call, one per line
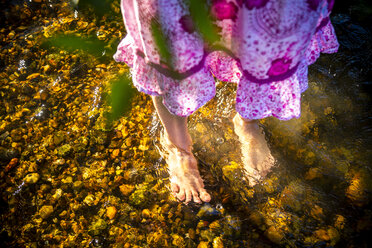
point(266, 47)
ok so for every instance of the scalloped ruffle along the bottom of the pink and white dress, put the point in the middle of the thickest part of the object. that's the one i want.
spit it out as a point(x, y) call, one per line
point(280, 99)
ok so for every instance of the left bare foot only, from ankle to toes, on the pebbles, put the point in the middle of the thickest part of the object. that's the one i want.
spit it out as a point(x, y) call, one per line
point(186, 183)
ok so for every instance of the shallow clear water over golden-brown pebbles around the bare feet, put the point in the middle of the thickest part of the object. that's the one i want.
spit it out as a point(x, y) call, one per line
point(70, 179)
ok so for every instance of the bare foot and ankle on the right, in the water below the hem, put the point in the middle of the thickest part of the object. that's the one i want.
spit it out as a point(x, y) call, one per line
point(257, 158)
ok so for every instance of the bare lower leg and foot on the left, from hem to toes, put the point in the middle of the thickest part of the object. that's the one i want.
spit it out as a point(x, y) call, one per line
point(186, 182)
